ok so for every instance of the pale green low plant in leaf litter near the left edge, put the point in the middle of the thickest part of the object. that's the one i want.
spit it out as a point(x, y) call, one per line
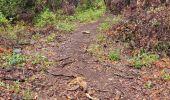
point(14, 59)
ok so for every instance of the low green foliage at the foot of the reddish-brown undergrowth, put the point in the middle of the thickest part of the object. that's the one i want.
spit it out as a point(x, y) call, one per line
point(143, 59)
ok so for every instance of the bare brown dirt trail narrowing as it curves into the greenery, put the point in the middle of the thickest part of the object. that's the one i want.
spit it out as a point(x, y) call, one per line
point(107, 81)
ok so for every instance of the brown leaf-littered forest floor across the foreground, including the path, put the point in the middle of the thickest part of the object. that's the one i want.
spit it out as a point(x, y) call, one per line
point(76, 74)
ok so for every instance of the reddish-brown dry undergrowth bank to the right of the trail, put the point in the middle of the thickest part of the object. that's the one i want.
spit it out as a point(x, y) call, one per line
point(144, 30)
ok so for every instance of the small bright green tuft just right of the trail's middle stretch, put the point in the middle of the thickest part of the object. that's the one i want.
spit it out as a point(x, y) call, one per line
point(114, 55)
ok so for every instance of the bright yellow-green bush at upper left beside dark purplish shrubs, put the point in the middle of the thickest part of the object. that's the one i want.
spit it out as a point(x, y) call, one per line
point(45, 18)
